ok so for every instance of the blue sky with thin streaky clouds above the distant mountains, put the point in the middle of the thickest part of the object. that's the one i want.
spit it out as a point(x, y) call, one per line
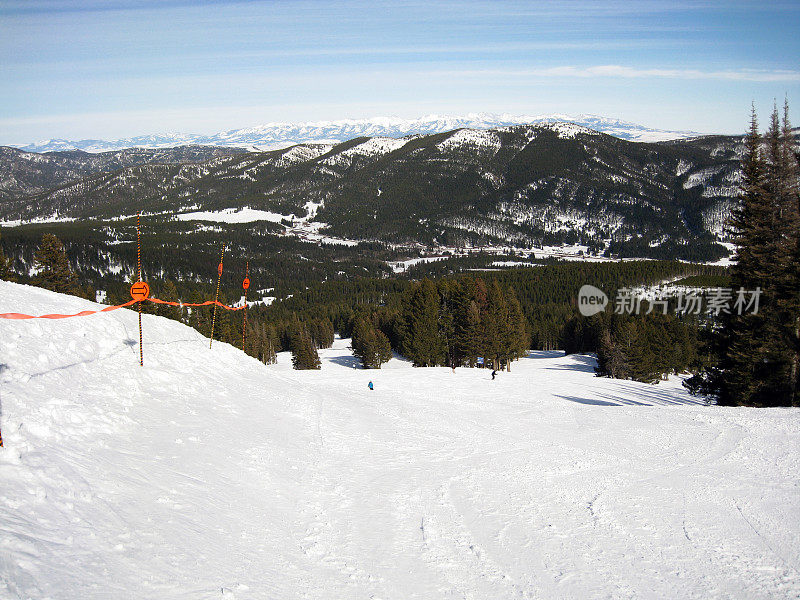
point(107, 68)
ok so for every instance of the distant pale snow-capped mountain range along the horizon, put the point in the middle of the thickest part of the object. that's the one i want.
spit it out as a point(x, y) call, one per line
point(273, 136)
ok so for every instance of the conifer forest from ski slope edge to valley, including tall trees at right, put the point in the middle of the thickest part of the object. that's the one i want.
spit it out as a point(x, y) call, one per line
point(460, 310)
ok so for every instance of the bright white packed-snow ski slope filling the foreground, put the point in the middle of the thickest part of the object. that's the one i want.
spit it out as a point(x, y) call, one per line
point(206, 474)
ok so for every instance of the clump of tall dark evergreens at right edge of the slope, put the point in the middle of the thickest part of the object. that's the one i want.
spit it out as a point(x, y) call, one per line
point(757, 354)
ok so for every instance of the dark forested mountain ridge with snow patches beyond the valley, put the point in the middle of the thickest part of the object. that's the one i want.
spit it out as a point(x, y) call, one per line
point(528, 185)
